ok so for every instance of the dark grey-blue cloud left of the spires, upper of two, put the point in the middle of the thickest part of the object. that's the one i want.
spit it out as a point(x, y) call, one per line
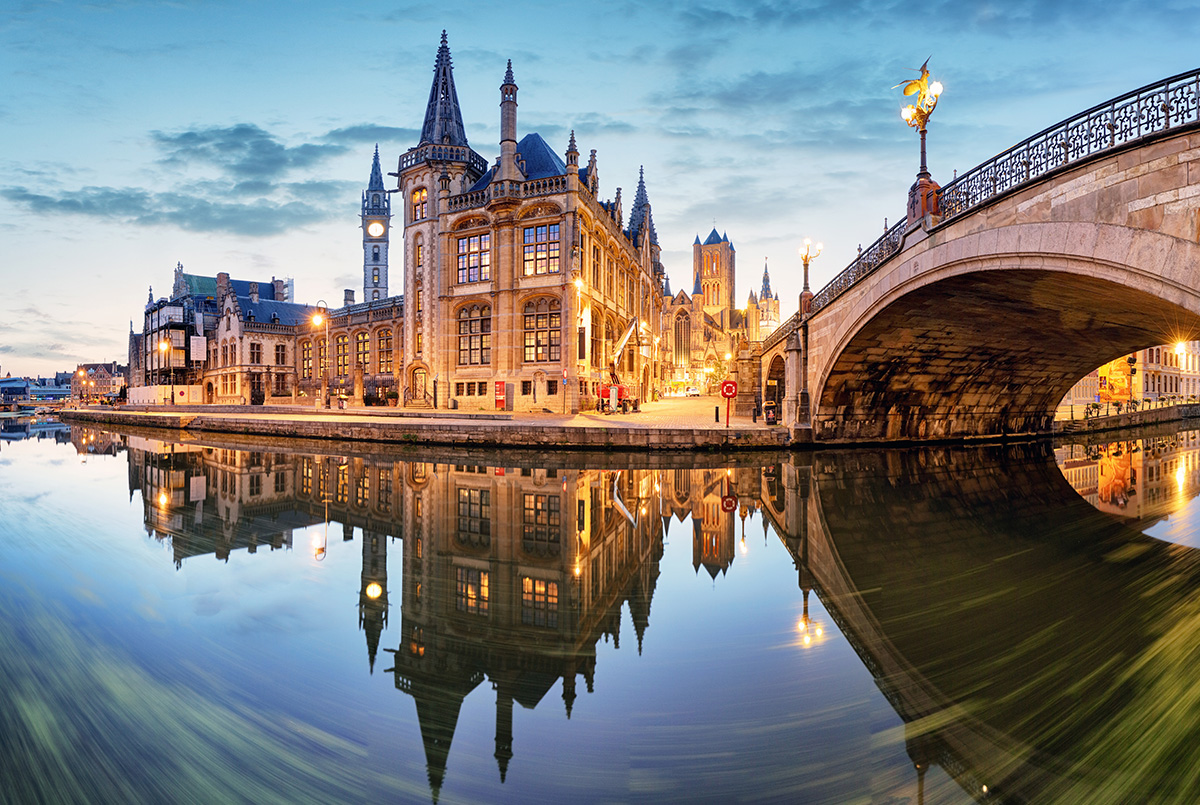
point(243, 152)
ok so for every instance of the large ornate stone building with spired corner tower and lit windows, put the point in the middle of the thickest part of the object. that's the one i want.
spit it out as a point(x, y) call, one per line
point(520, 279)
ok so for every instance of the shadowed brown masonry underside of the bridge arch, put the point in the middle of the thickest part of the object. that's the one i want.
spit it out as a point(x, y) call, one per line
point(986, 355)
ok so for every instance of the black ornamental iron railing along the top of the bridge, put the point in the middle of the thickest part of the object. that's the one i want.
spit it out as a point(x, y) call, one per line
point(1143, 115)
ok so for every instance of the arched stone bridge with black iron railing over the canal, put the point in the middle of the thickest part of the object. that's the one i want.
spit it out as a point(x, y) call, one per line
point(1070, 250)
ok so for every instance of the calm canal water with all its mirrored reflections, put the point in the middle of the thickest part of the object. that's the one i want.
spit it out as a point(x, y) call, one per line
point(220, 620)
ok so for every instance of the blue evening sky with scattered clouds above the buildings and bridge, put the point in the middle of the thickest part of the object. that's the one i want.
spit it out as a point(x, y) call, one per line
point(237, 136)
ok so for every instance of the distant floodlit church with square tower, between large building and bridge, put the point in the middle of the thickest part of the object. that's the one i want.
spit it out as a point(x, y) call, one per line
point(704, 329)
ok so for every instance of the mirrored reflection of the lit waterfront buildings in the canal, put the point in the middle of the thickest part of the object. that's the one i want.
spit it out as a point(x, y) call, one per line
point(511, 575)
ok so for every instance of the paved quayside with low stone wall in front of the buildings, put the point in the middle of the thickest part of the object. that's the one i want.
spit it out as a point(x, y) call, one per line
point(671, 424)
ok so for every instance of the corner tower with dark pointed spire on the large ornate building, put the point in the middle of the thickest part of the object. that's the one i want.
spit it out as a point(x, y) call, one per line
point(440, 165)
